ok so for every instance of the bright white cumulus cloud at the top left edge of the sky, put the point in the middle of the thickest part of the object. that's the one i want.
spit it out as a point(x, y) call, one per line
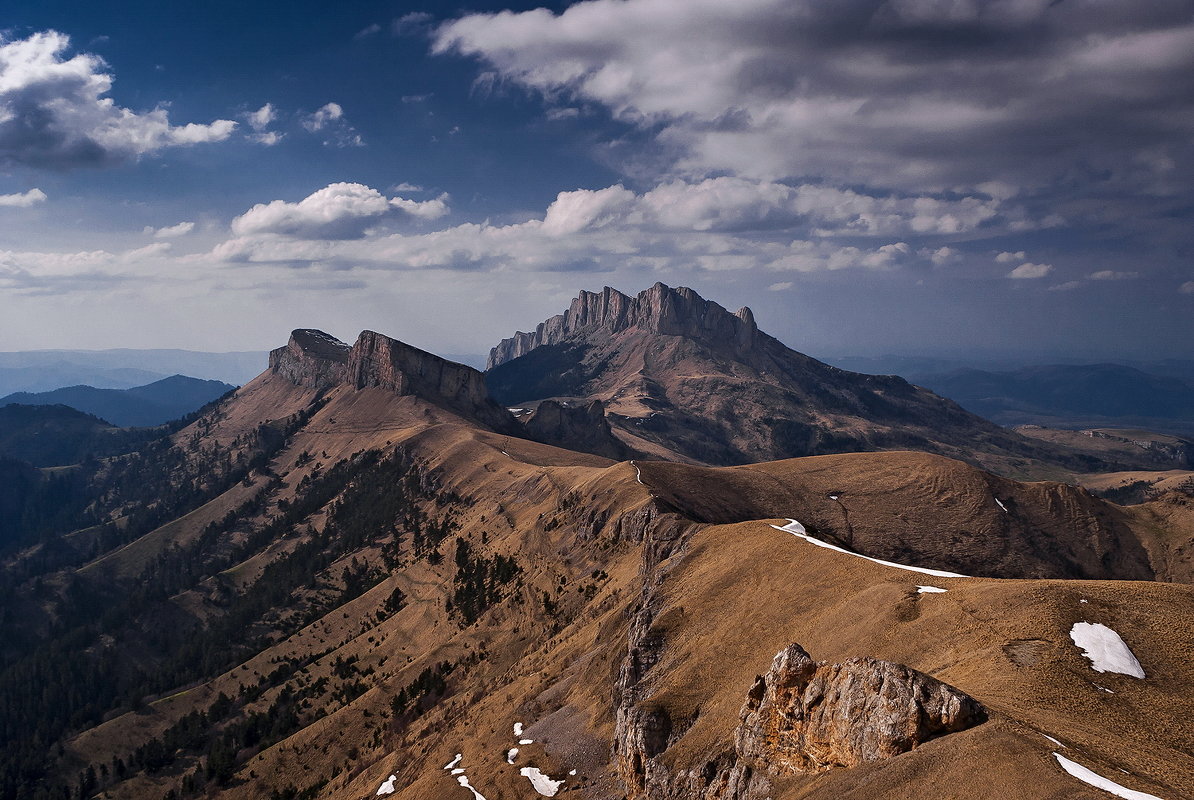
point(54, 112)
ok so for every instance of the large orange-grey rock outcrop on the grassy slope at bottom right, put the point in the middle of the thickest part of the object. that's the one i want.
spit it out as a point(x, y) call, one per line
point(810, 717)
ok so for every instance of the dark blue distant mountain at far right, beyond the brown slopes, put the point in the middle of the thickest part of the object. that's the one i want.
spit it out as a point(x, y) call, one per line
point(1064, 396)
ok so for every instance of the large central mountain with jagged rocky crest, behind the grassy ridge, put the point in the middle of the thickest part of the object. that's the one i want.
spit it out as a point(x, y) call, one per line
point(682, 378)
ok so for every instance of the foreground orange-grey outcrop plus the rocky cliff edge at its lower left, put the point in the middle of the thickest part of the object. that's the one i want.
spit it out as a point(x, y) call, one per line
point(802, 718)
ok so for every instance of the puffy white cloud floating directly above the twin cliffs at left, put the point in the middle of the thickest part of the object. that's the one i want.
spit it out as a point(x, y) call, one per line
point(342, 211)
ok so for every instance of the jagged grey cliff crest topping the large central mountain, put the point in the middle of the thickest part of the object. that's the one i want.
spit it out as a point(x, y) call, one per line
point(658, 310)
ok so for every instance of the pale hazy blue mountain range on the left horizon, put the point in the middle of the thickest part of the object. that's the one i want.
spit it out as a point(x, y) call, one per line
point(41, 371)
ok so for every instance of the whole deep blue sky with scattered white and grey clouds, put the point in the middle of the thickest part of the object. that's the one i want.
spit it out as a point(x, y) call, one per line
point(930, 177)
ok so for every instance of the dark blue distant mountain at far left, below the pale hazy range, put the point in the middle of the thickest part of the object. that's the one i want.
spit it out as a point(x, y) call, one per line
point(139, 407)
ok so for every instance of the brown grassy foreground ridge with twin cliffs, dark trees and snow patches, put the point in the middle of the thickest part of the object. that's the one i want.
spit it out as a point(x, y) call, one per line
point(356, 579)
